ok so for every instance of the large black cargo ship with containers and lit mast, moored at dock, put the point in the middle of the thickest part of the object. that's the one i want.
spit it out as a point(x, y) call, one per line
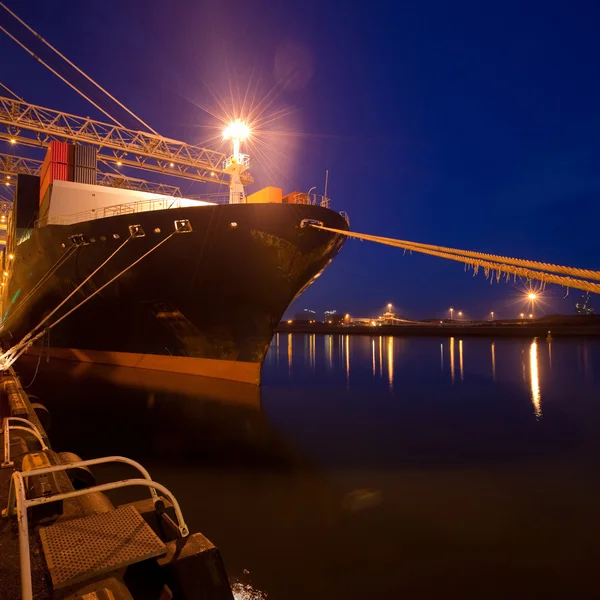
point(199, 285)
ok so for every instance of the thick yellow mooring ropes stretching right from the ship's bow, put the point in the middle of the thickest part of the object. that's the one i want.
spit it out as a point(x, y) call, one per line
point(490, 262)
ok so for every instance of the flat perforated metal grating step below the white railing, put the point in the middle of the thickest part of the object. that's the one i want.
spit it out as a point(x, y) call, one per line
point(78, 549)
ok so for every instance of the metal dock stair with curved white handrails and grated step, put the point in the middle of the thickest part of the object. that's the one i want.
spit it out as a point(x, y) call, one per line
point(88, 547)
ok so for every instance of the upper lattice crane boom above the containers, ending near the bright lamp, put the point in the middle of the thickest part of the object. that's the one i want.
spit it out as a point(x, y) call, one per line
point(37, 126)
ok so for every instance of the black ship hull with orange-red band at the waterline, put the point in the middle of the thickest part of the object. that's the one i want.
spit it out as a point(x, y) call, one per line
point(205, 302)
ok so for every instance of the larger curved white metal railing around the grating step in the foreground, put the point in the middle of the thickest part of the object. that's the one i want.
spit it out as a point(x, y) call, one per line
point(18, 503)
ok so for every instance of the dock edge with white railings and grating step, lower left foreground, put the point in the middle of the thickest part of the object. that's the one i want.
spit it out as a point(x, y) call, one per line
point(62, 538)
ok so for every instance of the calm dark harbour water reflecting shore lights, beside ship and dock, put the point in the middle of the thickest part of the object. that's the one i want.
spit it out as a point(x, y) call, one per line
point(368, 467)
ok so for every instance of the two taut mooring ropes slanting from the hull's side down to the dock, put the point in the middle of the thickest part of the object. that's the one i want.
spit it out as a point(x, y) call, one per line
point(15, 352)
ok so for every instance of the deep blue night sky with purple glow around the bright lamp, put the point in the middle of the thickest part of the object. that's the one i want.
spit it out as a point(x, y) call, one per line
point(469, 124)
